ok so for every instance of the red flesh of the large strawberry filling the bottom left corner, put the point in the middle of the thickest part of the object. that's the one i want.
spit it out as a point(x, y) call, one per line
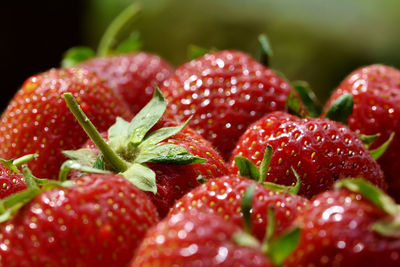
point(98, 222)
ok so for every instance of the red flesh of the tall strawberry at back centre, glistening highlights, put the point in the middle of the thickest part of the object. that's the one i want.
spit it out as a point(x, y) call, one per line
point(225, 92)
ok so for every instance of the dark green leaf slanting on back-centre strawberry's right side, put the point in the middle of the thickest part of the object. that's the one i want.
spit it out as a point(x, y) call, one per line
point(309, 99)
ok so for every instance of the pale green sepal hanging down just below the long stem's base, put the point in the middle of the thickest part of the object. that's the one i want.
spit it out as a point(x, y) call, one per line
point(142, 177)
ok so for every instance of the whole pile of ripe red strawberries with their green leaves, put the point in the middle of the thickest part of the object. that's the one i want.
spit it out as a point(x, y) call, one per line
point(220, 162)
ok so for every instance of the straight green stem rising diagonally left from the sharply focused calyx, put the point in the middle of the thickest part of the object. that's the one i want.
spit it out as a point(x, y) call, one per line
point(109, 155)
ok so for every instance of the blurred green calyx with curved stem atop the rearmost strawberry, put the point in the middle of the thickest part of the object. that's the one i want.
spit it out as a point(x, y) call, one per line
point(112, 42)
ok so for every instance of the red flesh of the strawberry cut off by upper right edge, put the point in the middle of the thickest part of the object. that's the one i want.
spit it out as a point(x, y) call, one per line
point(376, 93)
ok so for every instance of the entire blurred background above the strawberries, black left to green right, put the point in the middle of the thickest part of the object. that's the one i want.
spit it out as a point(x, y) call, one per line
point(313, 40)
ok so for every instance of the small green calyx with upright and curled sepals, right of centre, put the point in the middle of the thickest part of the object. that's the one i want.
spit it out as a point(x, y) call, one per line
point(250, 170)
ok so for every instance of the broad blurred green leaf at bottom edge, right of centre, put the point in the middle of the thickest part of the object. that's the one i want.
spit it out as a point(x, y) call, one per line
point(280, 248)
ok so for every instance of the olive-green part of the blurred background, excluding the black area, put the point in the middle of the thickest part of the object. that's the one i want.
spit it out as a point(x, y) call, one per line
point(318, 41)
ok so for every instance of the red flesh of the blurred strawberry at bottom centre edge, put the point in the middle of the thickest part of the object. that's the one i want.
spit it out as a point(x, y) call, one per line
point(195, 239)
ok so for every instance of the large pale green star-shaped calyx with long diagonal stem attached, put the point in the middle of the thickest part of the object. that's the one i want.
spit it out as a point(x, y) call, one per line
point(130, 145)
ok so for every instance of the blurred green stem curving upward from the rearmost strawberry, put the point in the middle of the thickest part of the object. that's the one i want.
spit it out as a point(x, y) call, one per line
point(115, 28)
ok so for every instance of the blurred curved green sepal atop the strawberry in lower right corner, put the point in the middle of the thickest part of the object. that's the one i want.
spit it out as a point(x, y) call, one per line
point(370, 192)
